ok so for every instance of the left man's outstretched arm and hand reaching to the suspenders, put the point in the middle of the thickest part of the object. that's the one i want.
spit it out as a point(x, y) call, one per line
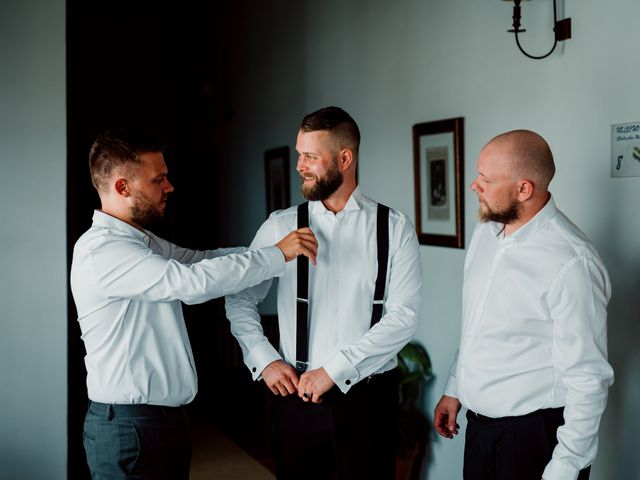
point(125, 267)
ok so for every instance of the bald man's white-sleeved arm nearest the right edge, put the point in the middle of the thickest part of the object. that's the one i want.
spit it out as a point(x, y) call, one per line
point(577, 304)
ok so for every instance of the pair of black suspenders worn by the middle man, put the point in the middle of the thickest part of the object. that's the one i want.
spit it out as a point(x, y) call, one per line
point(302, 295)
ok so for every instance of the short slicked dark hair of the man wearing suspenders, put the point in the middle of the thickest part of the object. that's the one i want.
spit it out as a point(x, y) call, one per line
point(336, 121)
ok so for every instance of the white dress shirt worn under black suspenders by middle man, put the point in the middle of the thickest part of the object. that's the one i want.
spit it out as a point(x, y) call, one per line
point(341, 288)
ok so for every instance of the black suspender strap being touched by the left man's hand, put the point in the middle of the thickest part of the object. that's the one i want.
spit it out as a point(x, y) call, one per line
point(302, 299)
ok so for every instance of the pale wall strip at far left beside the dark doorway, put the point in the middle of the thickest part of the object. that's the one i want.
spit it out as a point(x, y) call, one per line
point(33, 294)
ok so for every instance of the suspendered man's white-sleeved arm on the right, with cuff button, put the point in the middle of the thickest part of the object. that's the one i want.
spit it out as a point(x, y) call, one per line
point(365, 356)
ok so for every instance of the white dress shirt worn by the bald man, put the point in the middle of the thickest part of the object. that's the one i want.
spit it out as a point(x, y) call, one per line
point(534, 331)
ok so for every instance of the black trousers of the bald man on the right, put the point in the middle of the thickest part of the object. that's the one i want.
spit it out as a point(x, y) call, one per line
point(512, 448)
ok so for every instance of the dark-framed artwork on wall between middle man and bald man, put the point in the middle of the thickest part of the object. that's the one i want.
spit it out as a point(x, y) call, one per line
point(438, 163)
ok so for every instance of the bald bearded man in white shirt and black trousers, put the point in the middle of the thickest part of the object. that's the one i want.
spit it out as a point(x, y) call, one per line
point(532, 365)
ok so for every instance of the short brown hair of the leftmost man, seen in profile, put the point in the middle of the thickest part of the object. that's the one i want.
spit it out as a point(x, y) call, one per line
point(117, 148)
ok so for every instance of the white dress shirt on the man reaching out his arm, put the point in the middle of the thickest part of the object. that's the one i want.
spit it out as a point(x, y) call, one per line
point(127, 285)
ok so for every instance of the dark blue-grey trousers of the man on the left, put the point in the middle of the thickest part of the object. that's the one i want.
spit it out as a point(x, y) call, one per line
point(137, 442)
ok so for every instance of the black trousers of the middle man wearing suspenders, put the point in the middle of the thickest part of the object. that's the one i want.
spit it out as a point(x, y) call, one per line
point(348, 436)
